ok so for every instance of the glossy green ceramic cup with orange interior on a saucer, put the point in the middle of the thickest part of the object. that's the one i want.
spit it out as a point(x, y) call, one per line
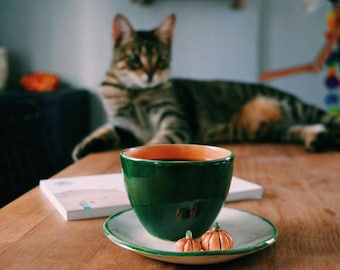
point(176, 187)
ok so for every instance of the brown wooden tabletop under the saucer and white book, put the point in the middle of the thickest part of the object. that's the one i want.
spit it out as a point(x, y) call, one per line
point(301, 197)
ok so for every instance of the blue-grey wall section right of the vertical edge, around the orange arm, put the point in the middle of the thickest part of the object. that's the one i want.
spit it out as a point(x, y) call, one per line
point(293, 37)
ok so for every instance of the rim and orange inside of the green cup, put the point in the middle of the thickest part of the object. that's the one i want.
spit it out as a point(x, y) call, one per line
point(178, 153)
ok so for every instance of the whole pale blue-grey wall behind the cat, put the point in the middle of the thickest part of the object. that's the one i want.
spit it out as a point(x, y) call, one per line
point(73, 39)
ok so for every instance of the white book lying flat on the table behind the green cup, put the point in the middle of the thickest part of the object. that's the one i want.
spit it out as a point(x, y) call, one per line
point(102, 195)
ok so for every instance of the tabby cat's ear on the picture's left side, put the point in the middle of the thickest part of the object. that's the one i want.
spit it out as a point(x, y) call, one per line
point(122, 31)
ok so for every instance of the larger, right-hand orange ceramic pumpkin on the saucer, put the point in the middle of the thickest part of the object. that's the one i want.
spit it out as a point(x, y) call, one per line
point(216, 239)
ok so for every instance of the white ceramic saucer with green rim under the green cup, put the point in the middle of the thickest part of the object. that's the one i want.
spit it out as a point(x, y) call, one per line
point(251, 233)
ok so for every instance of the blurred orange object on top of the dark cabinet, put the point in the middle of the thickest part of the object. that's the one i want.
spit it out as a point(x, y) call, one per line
point(40, 82)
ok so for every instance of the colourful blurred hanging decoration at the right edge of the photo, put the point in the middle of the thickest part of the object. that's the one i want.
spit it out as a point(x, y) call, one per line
point(332, 80)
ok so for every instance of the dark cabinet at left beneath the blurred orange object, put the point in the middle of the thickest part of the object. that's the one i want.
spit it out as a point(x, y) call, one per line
point(37, 134)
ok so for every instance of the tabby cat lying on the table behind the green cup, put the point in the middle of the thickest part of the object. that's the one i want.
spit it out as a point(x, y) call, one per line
point(144, 106)
